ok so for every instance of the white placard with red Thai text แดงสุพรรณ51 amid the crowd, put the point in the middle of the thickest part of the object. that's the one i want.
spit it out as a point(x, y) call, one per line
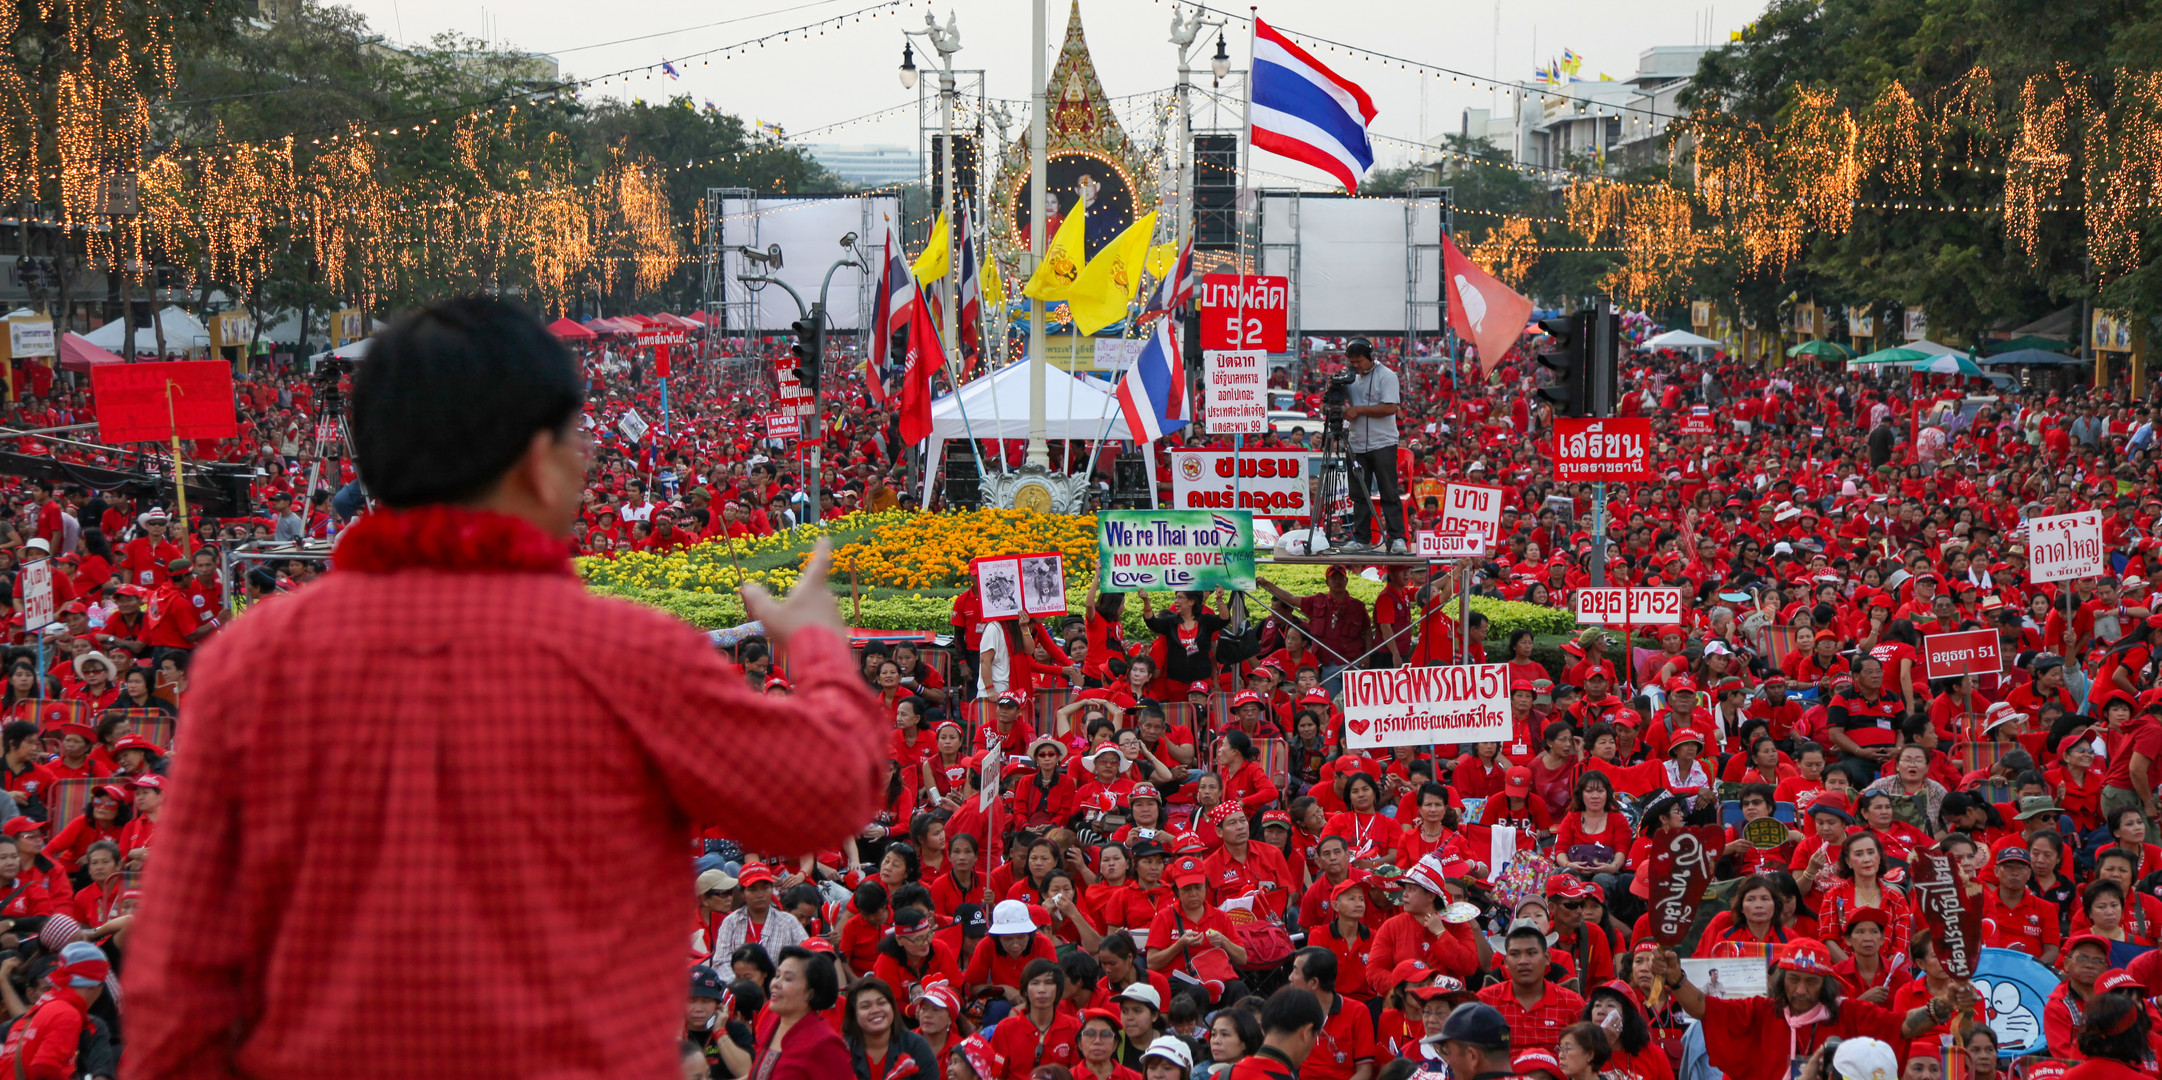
point(1428, 705)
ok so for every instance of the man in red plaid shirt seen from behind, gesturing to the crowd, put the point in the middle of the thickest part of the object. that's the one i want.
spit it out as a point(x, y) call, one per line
point(436, 811)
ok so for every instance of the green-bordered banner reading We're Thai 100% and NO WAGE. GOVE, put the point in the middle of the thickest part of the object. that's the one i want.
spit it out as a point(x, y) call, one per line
point(1175, 550)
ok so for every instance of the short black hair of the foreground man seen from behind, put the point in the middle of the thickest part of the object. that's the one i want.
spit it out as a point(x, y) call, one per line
point(453, 394)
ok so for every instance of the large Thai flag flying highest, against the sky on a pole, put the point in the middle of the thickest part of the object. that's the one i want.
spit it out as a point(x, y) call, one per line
point(1309, 113)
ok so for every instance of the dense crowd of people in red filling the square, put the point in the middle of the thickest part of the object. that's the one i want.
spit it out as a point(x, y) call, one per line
point(1153, 859)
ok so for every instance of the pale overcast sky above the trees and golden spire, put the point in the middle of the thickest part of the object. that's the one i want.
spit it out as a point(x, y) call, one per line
point(851, 70)
